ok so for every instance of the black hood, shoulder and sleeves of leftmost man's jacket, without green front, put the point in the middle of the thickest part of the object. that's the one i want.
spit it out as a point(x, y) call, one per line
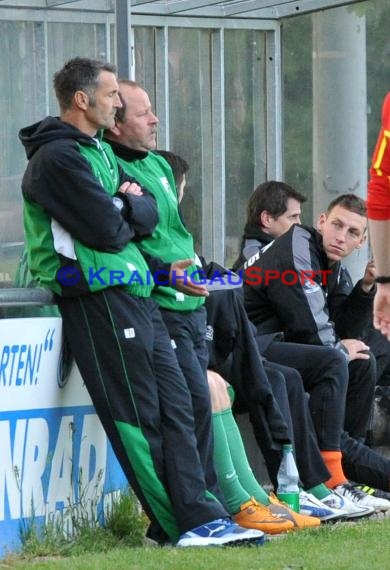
point(62, 181)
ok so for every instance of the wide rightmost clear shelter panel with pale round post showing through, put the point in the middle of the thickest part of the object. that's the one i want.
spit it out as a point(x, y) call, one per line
point(325, 85)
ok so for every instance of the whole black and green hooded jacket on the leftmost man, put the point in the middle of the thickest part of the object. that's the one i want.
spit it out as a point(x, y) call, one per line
point(69, 189)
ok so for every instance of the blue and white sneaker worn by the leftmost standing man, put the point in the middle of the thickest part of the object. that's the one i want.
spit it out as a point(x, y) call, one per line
point(221, 532)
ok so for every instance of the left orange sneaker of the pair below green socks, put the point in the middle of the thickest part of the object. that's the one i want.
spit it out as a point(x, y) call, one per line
point(254, 515)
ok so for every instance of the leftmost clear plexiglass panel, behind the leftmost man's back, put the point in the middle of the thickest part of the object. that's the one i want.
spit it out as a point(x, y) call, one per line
point(22, 79)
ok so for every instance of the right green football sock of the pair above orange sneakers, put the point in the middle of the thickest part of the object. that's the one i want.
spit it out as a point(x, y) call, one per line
point(240, 459)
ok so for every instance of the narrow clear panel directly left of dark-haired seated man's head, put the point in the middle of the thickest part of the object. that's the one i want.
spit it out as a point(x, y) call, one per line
point(245, 128)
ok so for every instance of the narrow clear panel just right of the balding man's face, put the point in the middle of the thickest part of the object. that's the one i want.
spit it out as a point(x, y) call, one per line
point(190, 120)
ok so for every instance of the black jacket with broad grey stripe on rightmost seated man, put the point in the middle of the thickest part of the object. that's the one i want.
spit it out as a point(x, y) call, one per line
point(308, 311)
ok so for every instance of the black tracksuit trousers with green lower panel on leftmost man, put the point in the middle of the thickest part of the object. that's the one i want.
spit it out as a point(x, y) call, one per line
point(123, 351)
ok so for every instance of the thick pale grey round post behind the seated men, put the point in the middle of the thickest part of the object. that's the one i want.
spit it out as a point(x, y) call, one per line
point(339, 112)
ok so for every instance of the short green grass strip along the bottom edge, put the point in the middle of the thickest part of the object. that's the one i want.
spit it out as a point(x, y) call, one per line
point(345, 546)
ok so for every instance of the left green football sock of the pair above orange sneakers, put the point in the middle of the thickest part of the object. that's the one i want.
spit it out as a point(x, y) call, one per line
point(234, 493)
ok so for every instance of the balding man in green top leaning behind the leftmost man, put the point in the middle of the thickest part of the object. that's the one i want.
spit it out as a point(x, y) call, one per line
point(132, 138)
